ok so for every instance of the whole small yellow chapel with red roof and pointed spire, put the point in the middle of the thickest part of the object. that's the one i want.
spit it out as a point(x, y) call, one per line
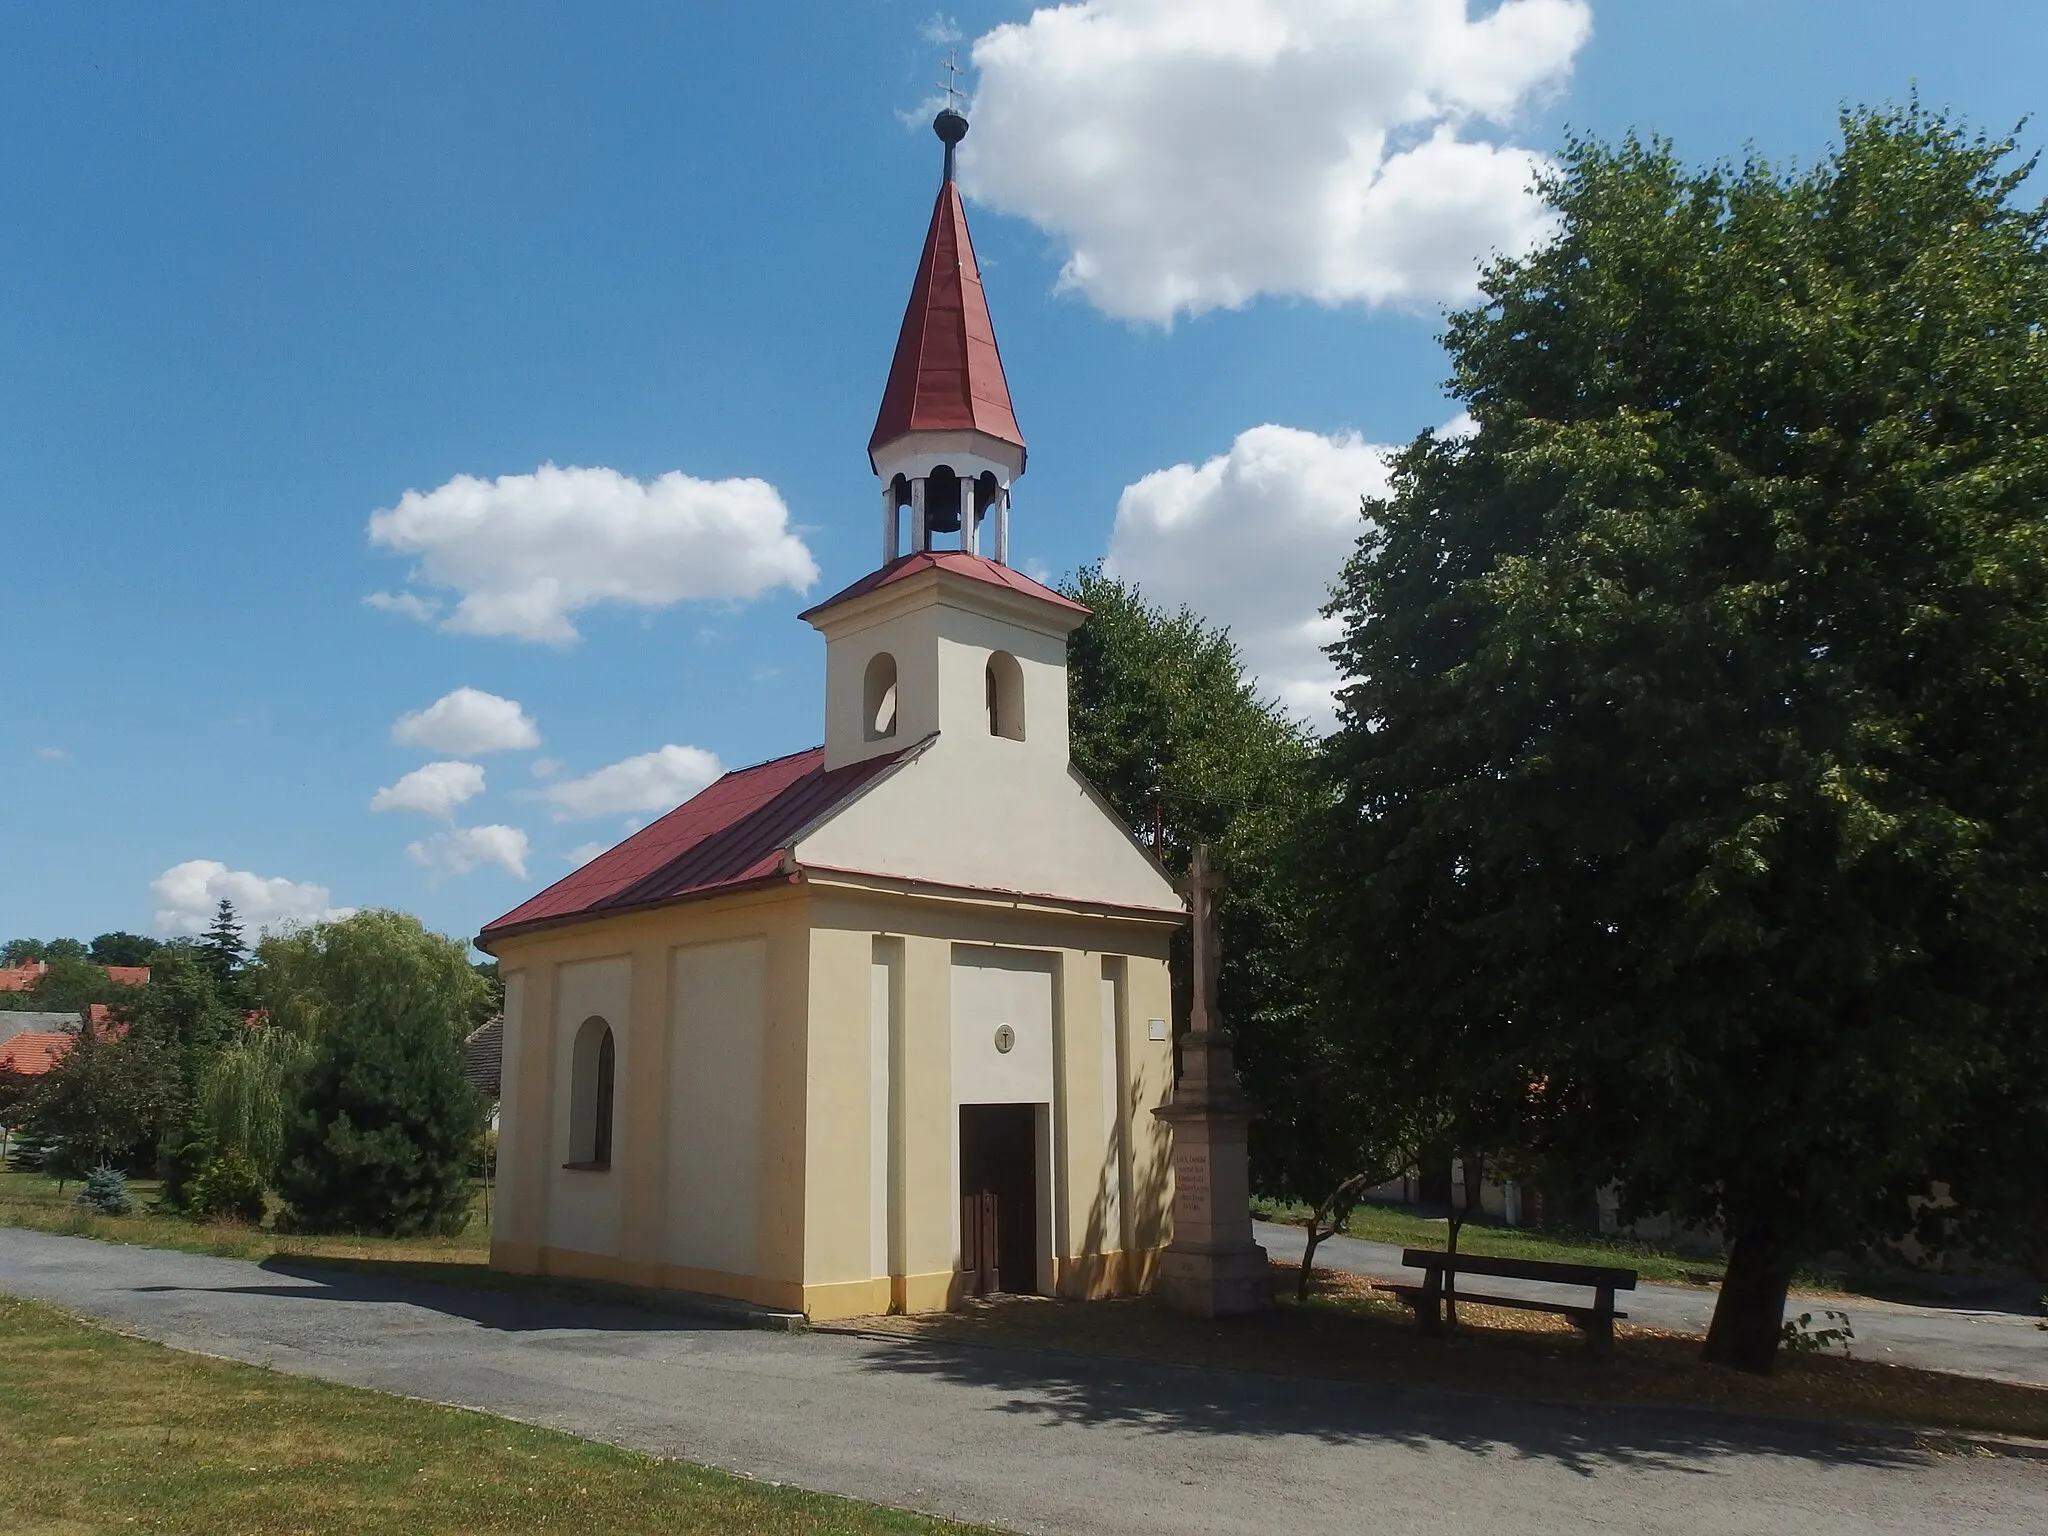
point(880, 1025)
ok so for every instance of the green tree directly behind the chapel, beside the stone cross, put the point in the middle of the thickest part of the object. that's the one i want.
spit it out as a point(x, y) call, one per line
point(1175, 732)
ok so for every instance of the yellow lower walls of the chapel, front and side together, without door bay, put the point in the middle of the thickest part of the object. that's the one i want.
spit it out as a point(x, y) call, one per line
point(808, 1162)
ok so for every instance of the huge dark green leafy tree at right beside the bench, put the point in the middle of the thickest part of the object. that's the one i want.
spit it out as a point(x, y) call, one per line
point(1697, 734)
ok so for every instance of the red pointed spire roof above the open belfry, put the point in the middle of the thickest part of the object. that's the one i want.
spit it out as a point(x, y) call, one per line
point(947, 372)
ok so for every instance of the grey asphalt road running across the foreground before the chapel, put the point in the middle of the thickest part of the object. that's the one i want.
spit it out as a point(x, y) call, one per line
point(1033, 1443)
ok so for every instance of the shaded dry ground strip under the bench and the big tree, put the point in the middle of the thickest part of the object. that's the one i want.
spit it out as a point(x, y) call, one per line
point(1357, 1332)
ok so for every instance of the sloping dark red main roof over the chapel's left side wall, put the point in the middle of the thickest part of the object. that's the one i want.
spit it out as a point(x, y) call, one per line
point(728, 837)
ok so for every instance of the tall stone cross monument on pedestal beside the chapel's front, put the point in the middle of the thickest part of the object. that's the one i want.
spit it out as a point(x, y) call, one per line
point(1213, 1269)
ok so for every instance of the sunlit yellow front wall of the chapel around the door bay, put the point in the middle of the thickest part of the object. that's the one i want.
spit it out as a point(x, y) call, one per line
point(882, 1187)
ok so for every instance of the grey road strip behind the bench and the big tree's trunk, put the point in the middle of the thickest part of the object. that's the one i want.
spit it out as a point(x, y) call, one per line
point(1977, 1342)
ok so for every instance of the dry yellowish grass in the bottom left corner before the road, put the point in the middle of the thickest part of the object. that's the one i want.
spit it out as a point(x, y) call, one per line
point(105, 1433)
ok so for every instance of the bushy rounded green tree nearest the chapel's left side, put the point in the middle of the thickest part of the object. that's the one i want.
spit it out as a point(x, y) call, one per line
point(386, 1119)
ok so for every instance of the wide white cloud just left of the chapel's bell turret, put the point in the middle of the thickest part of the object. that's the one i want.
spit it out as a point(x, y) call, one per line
point(531, 552)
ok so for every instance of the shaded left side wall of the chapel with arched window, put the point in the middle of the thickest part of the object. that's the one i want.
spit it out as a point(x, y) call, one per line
point(706, 1189)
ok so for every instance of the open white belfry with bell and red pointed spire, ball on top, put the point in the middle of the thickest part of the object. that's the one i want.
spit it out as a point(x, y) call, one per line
point(947, 443)
